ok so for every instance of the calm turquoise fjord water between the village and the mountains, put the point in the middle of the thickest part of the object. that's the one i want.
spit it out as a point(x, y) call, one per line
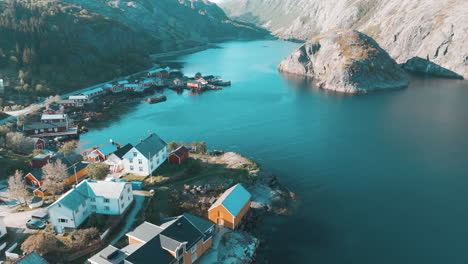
point(381, 178)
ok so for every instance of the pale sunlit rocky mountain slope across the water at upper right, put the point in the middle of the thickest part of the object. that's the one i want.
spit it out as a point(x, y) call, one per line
point(405, 28)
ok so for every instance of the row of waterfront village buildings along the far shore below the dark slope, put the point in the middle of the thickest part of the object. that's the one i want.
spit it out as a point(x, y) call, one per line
point(56, 122)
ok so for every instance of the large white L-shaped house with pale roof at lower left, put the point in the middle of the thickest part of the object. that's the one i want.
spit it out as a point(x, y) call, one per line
point(88, 197)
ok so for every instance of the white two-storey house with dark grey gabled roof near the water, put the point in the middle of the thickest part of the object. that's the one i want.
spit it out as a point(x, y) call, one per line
point(146, 156)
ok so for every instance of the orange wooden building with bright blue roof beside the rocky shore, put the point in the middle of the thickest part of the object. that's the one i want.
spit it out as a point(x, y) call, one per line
point(231, 207)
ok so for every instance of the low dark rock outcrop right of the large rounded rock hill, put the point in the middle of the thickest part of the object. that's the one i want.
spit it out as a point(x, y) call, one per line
point(427, 67)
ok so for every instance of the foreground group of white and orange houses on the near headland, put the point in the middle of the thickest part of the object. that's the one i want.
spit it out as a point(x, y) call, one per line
point(180, 239)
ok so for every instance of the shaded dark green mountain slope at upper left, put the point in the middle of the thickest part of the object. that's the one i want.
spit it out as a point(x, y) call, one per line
point(52, 46)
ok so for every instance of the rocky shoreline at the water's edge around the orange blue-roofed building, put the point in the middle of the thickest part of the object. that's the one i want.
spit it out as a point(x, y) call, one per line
point(270, 198)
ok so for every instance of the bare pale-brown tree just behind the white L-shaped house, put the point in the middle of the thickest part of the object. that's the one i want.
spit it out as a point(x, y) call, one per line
point(55, 176)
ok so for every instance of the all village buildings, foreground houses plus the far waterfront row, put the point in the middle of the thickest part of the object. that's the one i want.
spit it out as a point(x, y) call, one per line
point(179, 239)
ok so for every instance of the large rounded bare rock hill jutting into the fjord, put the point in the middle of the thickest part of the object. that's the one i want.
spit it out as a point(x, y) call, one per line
point(346, 61)
